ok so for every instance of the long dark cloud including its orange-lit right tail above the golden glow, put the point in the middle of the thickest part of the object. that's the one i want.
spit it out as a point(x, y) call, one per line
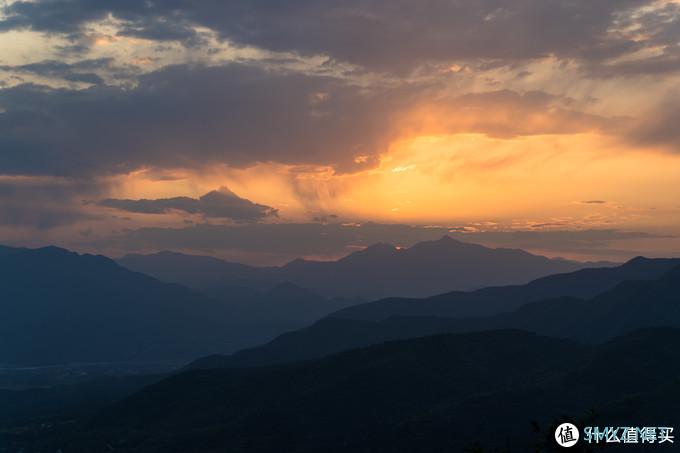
point(238, 115)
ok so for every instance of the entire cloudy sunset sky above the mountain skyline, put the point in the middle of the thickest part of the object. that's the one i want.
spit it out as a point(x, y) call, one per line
point(264, 130)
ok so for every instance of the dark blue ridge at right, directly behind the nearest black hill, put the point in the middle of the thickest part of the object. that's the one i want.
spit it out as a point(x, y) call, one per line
point(624, 305)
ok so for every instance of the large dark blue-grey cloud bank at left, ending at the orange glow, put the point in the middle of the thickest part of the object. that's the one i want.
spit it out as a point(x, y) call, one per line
point(193, 116)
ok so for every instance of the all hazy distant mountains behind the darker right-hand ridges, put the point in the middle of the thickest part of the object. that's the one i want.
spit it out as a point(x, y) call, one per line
point(62, 307)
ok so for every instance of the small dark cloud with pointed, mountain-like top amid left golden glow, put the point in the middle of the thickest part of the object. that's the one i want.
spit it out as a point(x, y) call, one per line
point(221, 203)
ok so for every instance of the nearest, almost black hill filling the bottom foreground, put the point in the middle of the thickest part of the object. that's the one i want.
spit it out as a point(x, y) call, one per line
point(437, 393)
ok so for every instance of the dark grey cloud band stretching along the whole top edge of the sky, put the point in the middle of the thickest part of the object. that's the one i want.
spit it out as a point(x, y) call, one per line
point(387, 34)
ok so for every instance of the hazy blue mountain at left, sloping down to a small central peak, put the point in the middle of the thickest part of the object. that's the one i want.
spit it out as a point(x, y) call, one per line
point(61, 307)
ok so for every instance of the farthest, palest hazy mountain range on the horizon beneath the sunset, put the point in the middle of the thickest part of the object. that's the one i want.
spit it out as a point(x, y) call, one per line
point(380, 270)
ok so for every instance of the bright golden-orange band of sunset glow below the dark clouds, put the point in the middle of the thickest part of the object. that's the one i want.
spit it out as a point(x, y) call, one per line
point(460, 178)
